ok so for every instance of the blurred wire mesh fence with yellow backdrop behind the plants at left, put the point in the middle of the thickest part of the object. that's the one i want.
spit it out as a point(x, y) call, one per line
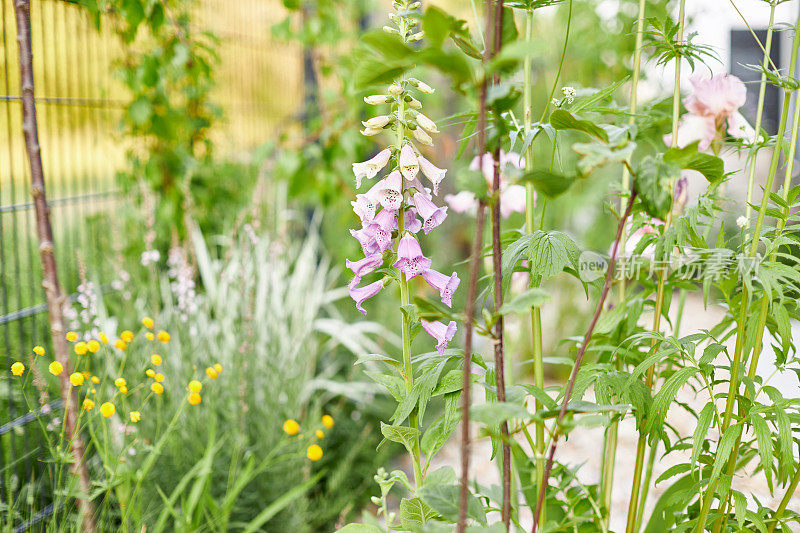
point(80, 105)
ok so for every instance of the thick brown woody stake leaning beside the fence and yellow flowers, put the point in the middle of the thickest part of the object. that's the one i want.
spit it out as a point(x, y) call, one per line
point(52, 288)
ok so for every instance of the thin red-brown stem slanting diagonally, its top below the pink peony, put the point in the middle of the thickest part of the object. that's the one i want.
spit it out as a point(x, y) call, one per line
point(571, 383)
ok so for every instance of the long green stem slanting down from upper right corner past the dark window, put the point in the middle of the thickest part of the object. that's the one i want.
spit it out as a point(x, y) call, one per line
point(733, 385)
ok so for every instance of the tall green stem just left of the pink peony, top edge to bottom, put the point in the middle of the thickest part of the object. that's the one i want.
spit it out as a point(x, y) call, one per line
point(640, 447)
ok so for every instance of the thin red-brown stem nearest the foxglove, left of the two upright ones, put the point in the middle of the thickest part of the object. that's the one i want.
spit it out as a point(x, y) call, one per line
point(474, 272)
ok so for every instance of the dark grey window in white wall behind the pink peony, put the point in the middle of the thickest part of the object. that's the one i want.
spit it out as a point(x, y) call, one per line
point(746, 51)
